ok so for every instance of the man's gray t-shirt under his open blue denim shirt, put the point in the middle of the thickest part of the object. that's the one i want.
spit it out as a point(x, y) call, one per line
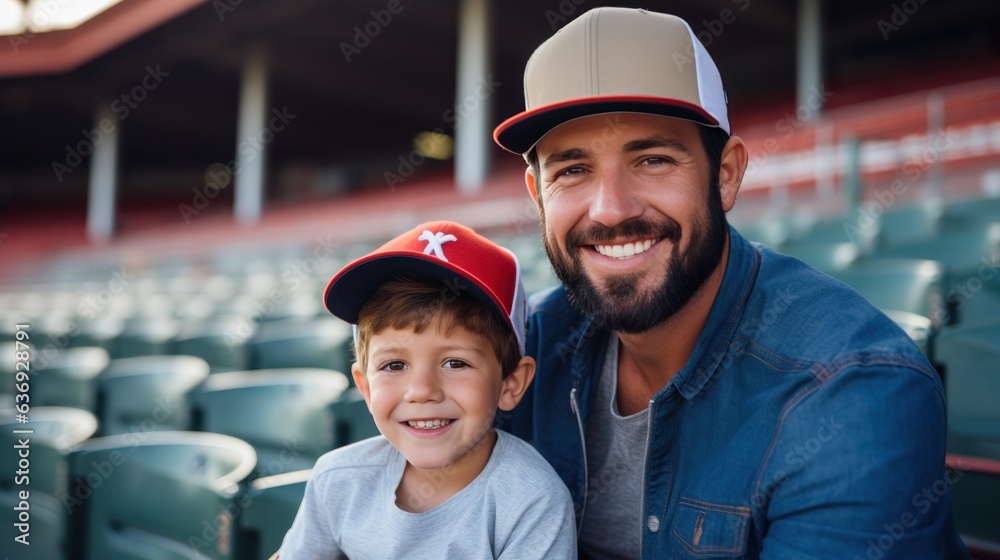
point(616, 451)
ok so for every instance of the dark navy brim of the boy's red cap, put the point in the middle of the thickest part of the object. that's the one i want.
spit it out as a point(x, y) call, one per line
point(353, 286)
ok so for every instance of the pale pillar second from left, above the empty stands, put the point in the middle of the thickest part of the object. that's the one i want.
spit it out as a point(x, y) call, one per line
point(251, 169)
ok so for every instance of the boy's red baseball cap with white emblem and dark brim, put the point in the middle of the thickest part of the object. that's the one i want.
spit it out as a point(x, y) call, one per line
point(452, 253)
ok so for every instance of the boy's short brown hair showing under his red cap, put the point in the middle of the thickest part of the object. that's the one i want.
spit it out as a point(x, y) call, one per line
point(417, 303)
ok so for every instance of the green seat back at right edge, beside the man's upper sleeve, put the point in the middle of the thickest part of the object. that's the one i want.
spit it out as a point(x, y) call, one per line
point(970, 355)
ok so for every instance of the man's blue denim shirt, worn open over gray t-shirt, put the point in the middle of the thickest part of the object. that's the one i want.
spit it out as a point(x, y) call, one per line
point(804, 425)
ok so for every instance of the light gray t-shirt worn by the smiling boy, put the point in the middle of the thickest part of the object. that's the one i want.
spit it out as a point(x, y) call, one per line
point(516, 508)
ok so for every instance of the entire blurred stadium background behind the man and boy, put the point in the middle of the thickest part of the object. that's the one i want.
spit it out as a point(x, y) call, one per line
point(180, 178)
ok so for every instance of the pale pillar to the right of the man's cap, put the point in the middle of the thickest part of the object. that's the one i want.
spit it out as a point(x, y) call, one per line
point(809, 57)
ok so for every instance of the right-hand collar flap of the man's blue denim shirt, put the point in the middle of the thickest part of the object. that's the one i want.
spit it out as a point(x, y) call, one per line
point(723, 320)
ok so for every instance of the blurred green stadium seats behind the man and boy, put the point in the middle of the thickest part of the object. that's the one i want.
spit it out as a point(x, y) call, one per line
point(242, 348)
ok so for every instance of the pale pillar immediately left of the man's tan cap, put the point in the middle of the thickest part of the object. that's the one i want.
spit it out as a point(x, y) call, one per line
point(473, 96)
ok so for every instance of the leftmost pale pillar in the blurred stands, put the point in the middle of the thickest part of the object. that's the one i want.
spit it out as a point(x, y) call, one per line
point(103, 177)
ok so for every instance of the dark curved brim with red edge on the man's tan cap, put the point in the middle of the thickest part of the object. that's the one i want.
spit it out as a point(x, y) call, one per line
point(521, 132)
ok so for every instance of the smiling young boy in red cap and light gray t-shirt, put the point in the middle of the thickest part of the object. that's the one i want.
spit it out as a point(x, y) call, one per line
point(439, 315)
